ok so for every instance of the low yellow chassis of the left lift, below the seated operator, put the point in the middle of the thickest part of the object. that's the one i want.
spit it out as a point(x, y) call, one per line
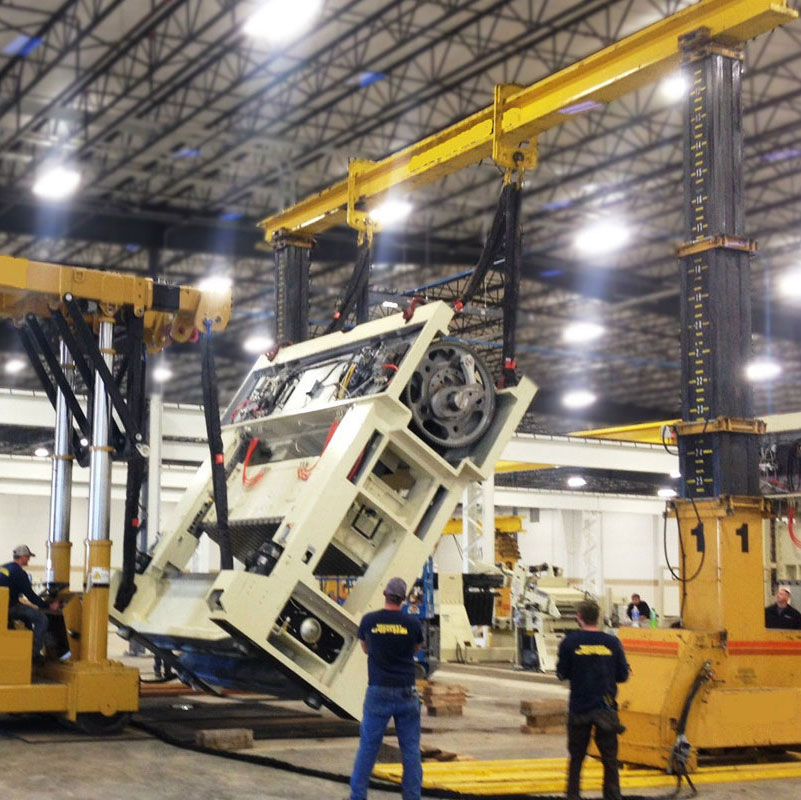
point(105, 688)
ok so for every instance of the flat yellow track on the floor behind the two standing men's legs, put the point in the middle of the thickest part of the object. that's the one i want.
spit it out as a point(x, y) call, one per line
point(548, 775)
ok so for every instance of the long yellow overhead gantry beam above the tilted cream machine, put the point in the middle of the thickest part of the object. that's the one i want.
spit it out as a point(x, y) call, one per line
point(523, 113)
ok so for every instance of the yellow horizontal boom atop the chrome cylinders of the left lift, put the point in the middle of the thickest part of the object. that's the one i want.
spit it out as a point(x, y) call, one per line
point(171, 313)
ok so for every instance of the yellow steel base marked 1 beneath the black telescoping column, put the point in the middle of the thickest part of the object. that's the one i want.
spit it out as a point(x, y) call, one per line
point(751, 692)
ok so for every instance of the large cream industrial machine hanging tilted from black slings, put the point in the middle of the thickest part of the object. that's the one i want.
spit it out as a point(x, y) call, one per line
point(344, 455)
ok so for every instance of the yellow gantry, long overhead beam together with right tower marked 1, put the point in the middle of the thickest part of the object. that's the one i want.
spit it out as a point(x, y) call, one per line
point(723, 680)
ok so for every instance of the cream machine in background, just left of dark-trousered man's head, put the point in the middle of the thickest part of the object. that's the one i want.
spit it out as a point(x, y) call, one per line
point(544, 609)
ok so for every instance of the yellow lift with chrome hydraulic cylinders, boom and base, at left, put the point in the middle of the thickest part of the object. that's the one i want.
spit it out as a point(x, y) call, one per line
point(83, 306)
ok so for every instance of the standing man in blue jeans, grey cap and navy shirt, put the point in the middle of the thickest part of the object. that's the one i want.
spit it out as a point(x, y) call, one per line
point(390, 638)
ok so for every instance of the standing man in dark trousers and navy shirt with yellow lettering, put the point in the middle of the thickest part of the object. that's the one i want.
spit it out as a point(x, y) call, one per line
point(594, 663)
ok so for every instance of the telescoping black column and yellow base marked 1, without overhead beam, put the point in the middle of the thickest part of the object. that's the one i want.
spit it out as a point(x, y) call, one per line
point(723, 680)
